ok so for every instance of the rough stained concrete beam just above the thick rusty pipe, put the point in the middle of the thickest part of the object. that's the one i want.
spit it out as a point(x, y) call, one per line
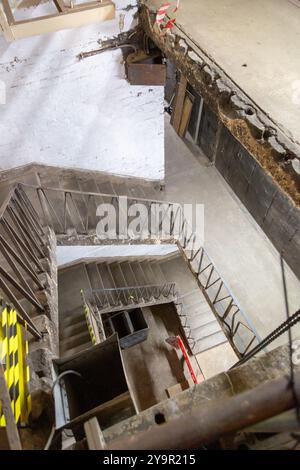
point(267, 367)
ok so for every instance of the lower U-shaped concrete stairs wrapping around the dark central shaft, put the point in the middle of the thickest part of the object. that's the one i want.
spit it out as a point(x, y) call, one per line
point(200, 325)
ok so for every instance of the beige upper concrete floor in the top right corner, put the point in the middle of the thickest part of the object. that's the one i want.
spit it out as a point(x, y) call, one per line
point(257, 44)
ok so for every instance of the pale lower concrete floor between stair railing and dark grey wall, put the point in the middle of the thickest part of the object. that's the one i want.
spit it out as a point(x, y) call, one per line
point(242, 253)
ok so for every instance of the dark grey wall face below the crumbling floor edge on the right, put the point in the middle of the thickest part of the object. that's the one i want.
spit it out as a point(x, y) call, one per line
point(266, 202)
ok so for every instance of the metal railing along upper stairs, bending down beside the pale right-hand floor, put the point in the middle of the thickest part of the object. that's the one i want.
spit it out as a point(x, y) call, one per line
point(66, 210)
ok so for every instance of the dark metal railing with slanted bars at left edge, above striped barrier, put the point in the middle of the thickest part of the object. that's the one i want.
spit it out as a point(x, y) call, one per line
point(22, 249)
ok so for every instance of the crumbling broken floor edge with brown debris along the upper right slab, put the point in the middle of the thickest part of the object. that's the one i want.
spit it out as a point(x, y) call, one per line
point(272, 147)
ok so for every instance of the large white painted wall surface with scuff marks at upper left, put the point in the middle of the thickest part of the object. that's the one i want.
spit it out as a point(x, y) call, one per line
point(82, 114)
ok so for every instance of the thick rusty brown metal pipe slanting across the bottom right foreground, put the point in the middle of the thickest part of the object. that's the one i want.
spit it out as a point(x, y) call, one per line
point(208, 423)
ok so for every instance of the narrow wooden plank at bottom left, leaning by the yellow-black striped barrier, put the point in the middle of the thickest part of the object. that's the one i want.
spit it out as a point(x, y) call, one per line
point(11, 427)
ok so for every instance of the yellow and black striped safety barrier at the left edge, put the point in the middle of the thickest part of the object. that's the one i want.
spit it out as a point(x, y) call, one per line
point(13, 357)
